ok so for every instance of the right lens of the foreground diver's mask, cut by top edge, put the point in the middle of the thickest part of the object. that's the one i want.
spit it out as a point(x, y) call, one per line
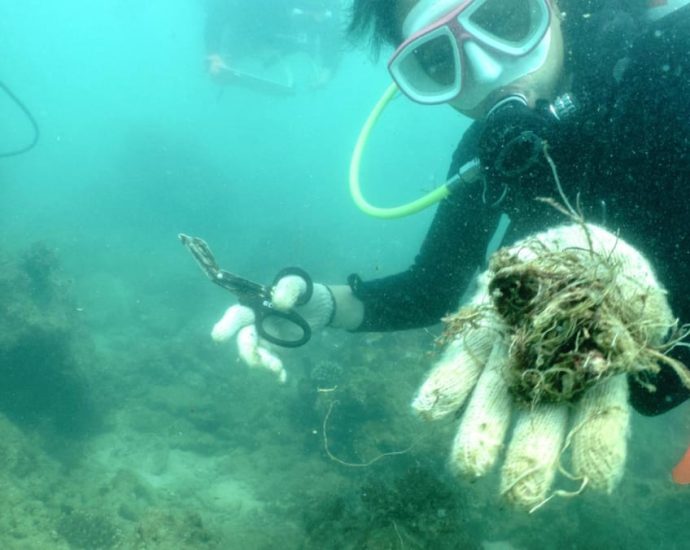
point(515, 22)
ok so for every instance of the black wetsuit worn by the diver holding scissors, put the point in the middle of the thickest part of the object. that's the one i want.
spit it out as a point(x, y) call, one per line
point(627, 153)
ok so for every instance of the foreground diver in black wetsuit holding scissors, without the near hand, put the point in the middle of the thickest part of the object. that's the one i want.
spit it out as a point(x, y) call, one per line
point(604, 84)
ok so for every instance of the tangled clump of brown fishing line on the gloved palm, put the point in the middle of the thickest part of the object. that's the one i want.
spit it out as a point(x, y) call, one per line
point(576, 318)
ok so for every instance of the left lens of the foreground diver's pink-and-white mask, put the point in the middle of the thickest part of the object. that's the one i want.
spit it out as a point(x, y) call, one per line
point(429, 68)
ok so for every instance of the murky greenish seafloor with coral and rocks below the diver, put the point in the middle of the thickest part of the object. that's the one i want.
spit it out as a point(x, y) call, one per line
point(143, 434)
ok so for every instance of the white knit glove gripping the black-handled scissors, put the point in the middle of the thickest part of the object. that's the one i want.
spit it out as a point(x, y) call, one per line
point(256, 351)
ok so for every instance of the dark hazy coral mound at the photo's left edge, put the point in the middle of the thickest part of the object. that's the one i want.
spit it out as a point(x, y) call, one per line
point(42, 347)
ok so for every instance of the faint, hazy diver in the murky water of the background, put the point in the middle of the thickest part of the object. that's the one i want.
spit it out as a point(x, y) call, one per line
point(249, 42)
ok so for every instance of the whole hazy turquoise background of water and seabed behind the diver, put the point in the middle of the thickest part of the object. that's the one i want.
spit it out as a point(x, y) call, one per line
point(121, 424)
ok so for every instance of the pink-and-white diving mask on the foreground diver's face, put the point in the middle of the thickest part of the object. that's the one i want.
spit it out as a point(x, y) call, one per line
point(463, 50)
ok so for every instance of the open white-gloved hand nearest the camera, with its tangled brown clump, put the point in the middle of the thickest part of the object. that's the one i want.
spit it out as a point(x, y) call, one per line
point(558, 322)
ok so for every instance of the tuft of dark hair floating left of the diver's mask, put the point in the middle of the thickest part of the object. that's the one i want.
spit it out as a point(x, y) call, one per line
point(375, 20)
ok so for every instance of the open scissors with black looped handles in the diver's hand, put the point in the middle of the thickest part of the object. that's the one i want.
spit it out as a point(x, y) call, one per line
point(255, 296)
